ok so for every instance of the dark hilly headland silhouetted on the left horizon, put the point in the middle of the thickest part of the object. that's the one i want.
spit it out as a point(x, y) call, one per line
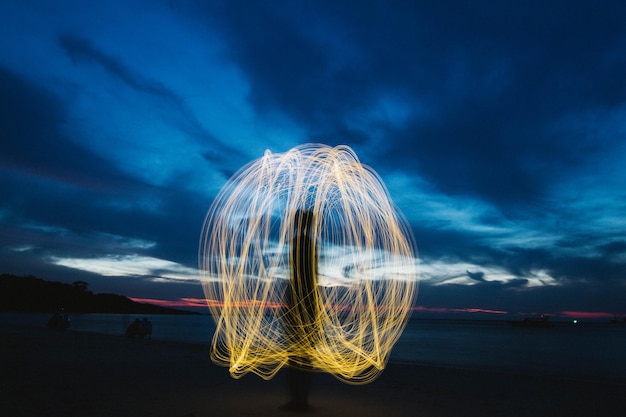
point(32, 294)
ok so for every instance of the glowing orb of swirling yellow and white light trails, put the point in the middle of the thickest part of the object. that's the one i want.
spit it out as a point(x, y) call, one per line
point(366, 271)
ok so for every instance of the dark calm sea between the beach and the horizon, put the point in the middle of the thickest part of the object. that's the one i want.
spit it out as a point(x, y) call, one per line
point(589, 351)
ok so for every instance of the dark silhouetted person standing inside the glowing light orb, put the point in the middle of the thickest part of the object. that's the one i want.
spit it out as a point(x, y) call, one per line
point(302, 319)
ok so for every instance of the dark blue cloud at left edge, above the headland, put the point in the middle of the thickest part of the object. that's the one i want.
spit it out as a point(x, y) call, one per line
point(34, 142)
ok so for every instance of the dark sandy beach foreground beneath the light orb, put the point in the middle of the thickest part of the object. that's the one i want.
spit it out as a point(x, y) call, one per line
point(63, 373)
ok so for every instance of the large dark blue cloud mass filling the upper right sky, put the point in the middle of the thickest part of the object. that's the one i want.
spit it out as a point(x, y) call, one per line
point(492, 90)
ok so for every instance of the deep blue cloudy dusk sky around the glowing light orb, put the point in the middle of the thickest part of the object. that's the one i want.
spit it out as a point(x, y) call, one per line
point(499, 128)
